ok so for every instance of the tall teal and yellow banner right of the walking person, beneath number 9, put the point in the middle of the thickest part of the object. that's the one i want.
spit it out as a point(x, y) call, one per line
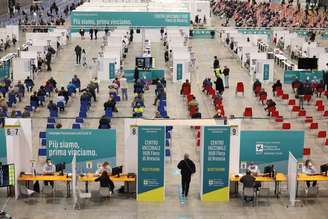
point(215, 163)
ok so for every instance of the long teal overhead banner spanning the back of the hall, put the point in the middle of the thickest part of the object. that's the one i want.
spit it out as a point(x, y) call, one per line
point(128, 19)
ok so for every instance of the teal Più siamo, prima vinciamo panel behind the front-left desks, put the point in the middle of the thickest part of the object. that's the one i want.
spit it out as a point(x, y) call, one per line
point(91, 146)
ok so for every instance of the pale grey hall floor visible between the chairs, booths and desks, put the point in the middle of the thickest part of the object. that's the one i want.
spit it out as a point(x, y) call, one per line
point(183, 141)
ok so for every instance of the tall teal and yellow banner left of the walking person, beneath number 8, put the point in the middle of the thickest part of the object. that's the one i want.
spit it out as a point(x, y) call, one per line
point(151, 148)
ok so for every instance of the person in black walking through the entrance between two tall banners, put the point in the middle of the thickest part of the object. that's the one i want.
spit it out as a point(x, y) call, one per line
point(187, 168)
